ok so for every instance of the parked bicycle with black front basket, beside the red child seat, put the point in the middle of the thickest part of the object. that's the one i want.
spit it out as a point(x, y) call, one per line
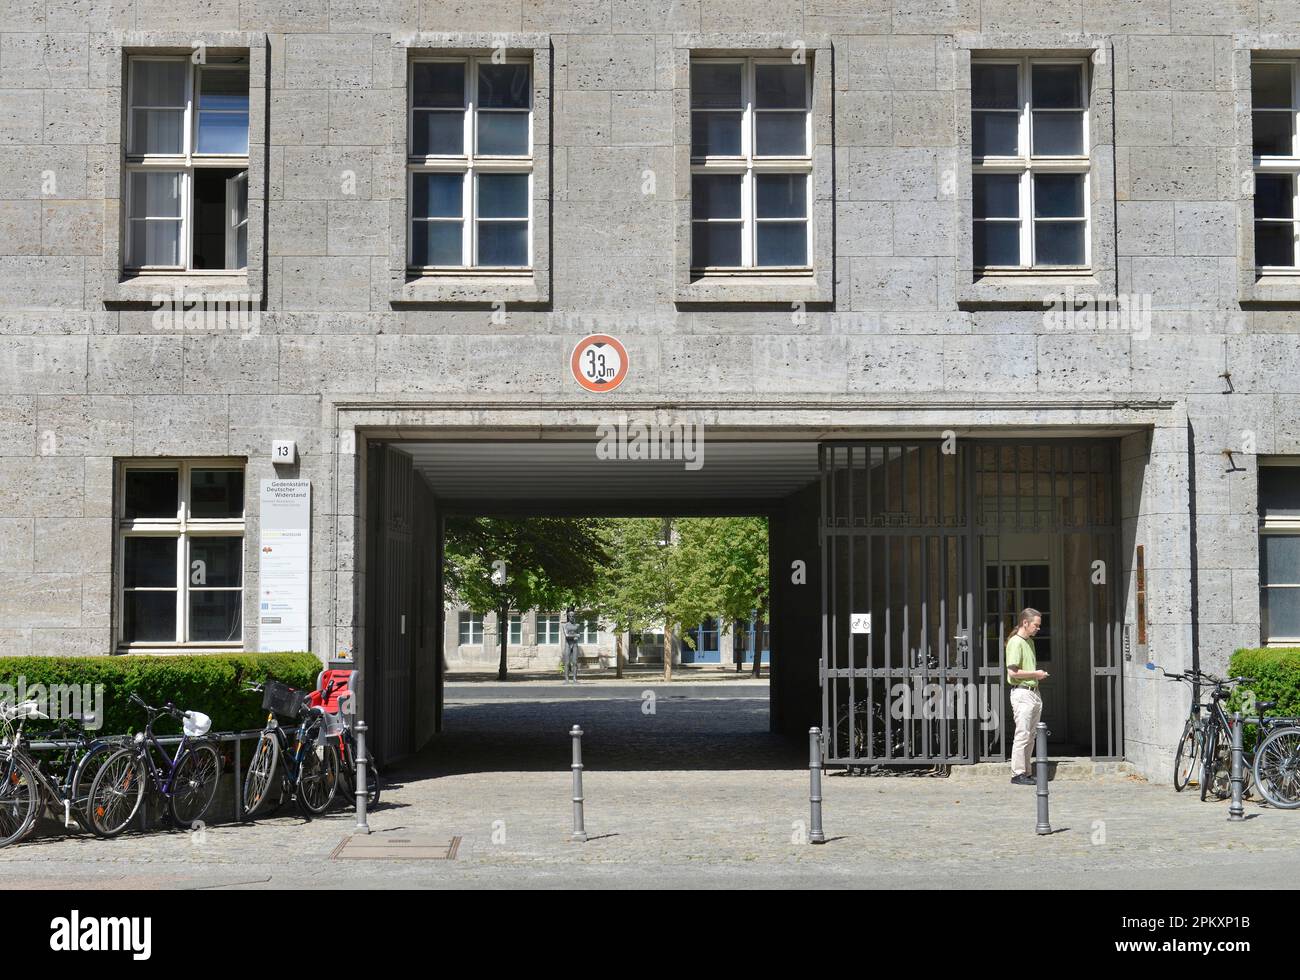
point(309, 771)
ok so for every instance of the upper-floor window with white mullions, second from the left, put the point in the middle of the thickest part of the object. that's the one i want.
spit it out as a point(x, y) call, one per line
point(470, 157)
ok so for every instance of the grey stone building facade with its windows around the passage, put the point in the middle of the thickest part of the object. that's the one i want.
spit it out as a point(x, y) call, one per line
point(856, 284)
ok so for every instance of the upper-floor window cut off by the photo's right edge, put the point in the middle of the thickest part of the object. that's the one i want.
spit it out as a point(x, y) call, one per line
point(1276, 148)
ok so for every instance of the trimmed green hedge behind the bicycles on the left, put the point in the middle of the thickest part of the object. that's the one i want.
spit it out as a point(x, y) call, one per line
point(207, 683)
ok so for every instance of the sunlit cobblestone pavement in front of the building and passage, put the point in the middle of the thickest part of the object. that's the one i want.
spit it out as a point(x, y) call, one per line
point(695, 795)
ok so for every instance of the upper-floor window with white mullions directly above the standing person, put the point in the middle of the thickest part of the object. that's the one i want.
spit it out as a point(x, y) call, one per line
point(1030, 164)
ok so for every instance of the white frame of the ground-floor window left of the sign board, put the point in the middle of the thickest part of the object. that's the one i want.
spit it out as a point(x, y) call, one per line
point(184, 528)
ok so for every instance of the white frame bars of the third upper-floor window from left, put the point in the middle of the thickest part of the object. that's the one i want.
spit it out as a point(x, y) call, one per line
point(748, 166)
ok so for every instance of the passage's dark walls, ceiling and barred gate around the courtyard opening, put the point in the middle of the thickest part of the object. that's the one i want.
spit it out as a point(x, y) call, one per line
point(934, 547)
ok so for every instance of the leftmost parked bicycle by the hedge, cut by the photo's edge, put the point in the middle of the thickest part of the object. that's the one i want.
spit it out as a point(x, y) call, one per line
point(27, 790)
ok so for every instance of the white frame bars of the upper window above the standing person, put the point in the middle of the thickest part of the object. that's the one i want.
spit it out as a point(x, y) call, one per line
point(1025, 164)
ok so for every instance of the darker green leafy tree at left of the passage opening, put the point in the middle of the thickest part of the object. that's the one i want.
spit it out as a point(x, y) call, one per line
point(508, 563)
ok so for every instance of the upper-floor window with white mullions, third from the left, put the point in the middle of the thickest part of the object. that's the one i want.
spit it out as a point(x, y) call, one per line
point(751, 164)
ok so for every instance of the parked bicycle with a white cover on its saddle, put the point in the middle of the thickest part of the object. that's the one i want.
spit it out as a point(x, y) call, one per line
point(187, 780)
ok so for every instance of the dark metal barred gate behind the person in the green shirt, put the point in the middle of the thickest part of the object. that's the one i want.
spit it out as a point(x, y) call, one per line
point(920, 544)
